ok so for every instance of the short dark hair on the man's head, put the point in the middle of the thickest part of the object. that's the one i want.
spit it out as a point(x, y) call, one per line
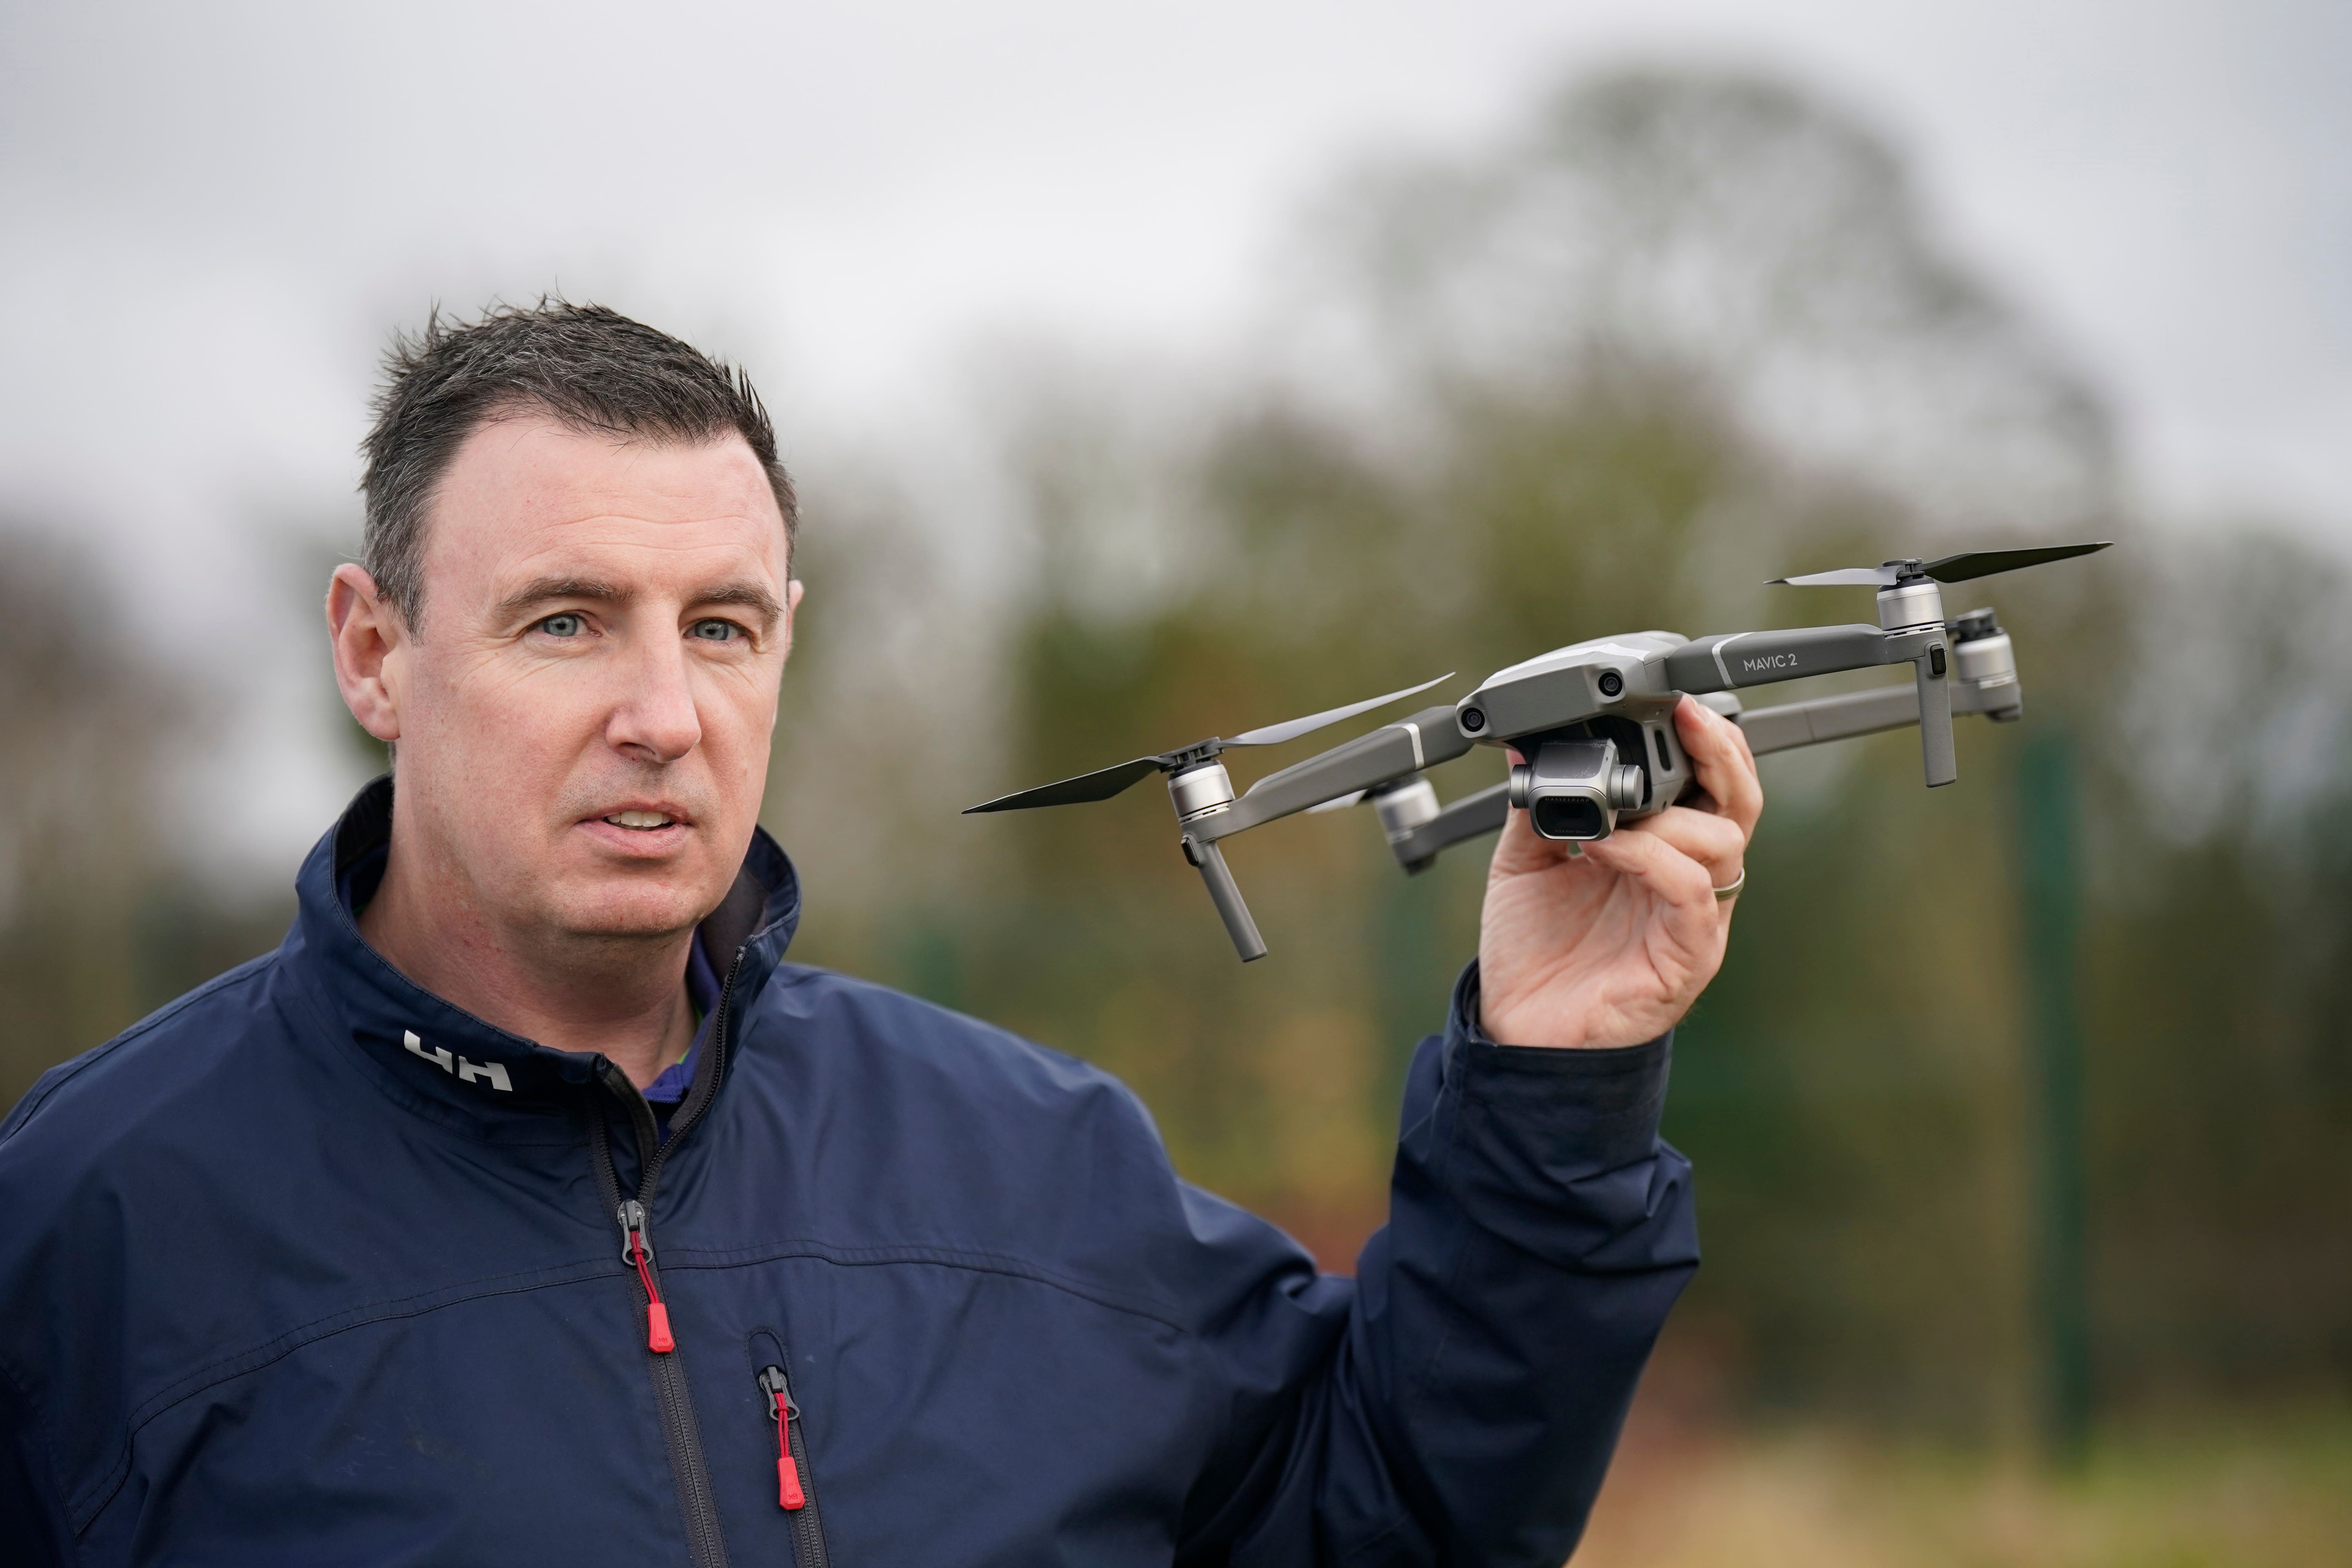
point(584, 366)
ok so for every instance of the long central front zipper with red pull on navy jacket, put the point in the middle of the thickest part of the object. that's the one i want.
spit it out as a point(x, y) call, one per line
point(681, 1433)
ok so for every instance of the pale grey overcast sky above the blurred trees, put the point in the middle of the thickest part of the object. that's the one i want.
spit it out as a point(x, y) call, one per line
point(213, 215)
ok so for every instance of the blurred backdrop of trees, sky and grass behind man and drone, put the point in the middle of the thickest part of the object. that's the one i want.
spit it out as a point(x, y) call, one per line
point(1156, 375)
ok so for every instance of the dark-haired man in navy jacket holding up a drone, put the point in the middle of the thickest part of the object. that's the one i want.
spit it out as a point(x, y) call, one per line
point(526, 1207)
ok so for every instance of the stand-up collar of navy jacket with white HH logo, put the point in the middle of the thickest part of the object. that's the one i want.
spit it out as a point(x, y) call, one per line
point(453, 1066)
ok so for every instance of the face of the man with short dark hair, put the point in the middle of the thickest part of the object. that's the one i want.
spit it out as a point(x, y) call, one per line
point(584, 711)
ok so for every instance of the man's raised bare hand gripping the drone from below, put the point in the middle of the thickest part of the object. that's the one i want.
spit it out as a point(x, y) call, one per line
point(1612, 946)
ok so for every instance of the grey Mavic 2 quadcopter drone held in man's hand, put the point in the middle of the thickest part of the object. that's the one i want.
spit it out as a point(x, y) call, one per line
point(1593, 728)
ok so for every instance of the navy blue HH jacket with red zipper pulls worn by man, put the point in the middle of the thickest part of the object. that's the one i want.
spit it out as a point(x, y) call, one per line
point(316, 1268)
